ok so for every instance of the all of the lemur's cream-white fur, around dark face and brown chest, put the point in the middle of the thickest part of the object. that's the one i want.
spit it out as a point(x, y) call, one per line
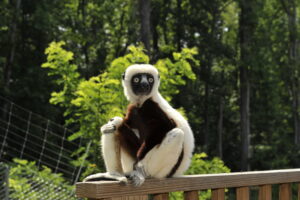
point(161, 159)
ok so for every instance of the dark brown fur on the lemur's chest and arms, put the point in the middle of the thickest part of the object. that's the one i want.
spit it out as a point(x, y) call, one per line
point(152, 123)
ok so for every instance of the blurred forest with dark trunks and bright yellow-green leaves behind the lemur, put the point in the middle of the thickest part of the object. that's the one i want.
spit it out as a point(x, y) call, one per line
point(236, 69)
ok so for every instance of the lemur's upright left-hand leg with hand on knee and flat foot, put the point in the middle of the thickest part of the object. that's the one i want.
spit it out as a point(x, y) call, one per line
point(111, 153)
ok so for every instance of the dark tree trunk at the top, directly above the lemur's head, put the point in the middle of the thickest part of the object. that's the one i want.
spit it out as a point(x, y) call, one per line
point(145, 9)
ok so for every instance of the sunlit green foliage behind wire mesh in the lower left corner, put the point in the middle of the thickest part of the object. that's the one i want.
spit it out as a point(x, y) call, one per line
point(27, 181)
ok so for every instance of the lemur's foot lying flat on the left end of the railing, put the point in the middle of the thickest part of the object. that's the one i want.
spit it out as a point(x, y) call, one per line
point(106, 177)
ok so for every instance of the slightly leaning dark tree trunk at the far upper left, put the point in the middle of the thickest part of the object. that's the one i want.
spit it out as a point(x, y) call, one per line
point(11, 55)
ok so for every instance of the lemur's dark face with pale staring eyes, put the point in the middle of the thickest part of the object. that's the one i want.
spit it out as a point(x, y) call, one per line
point(142, 83)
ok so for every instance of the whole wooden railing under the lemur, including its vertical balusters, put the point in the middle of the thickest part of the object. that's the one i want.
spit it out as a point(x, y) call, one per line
point(193, 184)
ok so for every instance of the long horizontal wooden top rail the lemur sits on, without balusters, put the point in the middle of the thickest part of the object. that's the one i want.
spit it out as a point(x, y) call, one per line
point(98, 190)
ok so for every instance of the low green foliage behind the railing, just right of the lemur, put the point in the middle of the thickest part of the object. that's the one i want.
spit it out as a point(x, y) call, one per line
point(201, 165)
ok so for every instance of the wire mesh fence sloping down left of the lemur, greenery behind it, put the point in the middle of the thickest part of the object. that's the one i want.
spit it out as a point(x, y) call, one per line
point(44, 145)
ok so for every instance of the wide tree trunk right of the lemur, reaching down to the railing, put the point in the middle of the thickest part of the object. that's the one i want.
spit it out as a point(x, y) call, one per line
point(246, 30)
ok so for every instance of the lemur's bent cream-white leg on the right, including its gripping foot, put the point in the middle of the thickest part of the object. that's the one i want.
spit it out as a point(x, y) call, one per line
point(160, 160)
